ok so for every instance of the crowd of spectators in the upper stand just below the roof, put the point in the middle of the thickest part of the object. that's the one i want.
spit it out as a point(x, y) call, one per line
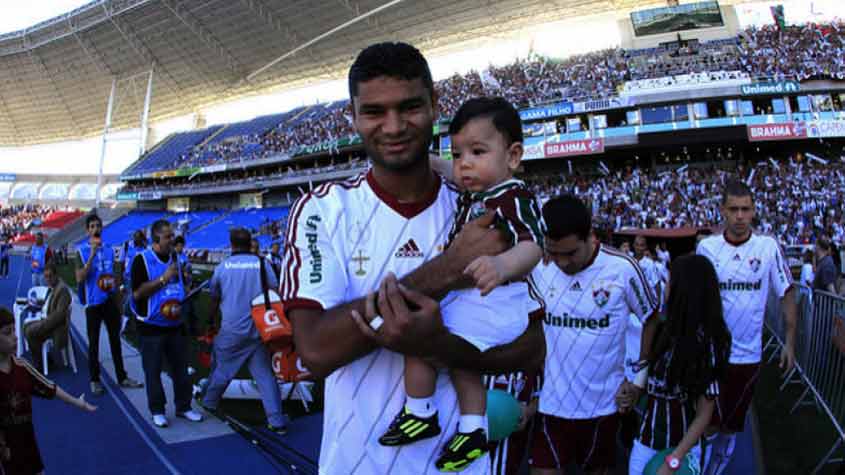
point(802, 52)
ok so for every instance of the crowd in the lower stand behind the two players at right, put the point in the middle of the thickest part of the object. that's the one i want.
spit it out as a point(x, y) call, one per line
point(797, 199)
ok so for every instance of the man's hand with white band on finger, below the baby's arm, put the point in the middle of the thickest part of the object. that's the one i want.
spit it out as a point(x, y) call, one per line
point(412, 321)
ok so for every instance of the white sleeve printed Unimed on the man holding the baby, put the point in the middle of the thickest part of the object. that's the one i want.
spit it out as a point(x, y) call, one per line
point(313, 276)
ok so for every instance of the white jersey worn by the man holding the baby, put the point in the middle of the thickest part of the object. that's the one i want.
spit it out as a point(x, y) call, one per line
point(343, 238)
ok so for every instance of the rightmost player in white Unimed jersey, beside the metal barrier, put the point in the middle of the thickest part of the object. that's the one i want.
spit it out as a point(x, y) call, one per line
point(749, 266)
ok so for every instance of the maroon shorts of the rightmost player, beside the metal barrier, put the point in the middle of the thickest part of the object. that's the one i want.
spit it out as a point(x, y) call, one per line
point(735, 395)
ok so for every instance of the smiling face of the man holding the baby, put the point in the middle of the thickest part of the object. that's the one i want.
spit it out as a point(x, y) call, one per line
point(394, 118)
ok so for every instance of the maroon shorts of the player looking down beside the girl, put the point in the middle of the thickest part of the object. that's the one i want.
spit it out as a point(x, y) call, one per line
point(590, 443)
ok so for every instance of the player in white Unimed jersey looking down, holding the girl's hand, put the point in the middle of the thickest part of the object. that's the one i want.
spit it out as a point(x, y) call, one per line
point(589, 290)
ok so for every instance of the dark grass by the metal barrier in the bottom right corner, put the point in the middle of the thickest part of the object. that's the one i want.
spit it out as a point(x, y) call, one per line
point(793, 444)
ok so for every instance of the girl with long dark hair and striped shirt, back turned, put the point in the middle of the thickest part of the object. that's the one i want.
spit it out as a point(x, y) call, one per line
point(686, 363)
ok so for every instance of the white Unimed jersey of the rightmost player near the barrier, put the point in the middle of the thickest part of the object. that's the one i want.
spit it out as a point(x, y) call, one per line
point(746, 272)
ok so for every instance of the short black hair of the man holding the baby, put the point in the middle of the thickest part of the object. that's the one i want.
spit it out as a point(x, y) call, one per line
point(392, 59)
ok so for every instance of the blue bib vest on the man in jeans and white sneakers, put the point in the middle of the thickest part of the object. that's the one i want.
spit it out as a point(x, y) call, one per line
point(164, 308)
